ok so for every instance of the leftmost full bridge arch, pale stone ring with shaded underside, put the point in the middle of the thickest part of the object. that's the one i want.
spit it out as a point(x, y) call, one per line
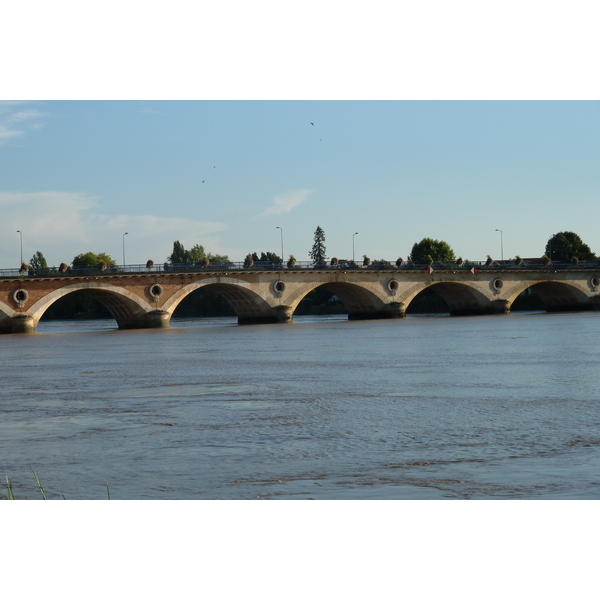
point(129, 310)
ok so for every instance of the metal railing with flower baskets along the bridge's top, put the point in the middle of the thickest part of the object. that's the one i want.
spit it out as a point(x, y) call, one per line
point(344, 265)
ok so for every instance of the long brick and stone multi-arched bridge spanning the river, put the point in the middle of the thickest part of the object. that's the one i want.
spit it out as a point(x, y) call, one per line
point(148, 299)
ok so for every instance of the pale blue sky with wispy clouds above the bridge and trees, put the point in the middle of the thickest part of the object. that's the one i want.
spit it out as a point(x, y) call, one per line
point(76, 175)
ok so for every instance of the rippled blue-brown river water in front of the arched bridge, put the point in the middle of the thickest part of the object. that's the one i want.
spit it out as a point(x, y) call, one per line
point(421, 408)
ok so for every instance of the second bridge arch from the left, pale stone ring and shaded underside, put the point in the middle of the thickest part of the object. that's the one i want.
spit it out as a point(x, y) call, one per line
point(249, 305)
